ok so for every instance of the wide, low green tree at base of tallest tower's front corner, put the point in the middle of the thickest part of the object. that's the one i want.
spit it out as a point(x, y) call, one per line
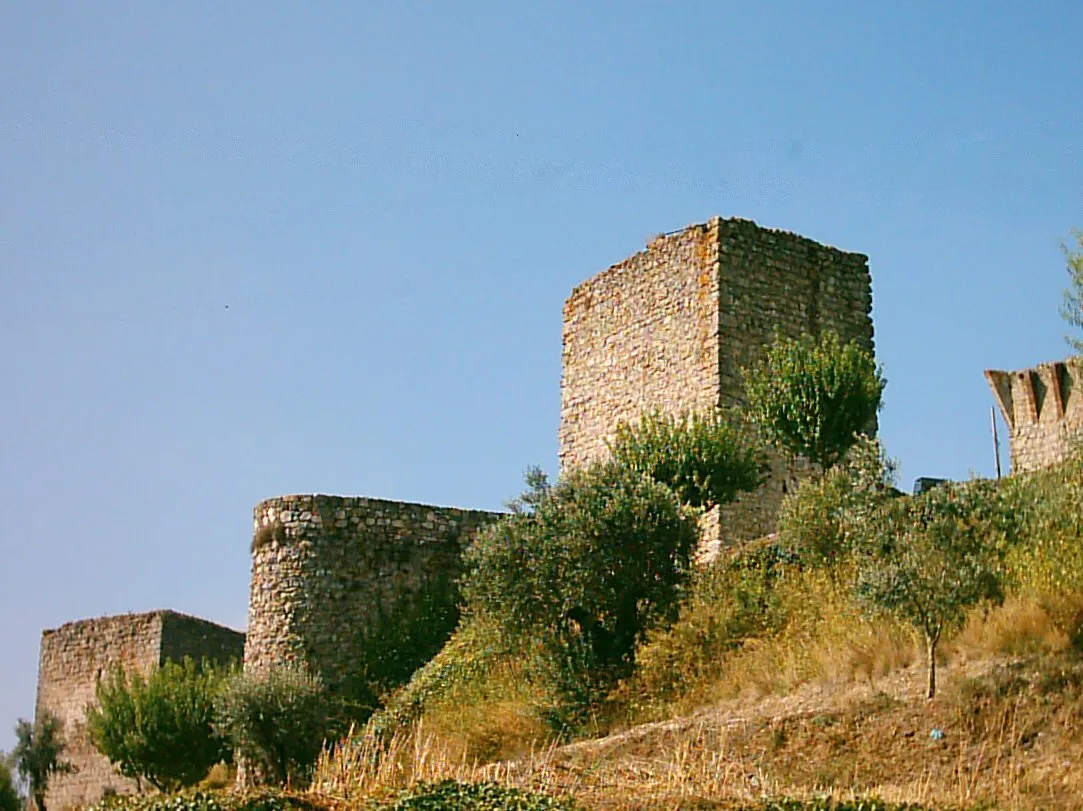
point(706, 459)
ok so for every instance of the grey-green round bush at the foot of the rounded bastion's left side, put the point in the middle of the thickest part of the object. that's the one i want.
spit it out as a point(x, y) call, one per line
point(279, 722)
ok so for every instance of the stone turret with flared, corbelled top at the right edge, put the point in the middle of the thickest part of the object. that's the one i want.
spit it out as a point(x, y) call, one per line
point(1043, 409)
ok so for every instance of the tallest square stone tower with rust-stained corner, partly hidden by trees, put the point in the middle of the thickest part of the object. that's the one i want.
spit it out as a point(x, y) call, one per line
point(673, 326)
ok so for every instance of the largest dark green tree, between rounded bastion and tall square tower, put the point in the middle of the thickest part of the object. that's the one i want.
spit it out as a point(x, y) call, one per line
point(585, 572)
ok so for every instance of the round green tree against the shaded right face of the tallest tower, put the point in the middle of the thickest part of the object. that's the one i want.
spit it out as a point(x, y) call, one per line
point(813, 397)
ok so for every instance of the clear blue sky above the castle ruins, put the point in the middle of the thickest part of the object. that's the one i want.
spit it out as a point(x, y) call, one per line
point(257, 248)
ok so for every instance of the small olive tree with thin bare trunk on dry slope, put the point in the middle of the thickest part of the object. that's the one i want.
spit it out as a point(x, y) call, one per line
point(933, 558)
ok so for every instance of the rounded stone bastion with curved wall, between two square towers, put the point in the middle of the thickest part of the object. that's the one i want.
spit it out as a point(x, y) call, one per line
point(330, 572)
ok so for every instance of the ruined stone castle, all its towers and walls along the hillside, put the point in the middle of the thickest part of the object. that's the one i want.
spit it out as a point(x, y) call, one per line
point(670, 328)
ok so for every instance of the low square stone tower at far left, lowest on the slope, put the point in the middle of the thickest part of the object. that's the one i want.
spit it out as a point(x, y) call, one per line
point(77, 655)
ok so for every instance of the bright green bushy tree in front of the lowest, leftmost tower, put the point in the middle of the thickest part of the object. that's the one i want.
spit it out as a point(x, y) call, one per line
point(160, 728)
